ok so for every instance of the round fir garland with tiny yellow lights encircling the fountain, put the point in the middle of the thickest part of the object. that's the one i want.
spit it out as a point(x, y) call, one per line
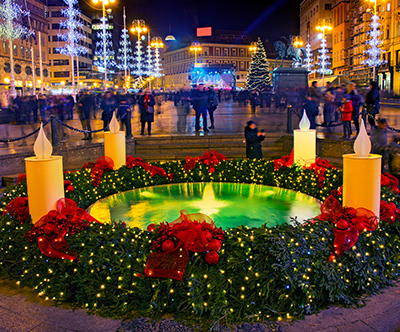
point(263, 273)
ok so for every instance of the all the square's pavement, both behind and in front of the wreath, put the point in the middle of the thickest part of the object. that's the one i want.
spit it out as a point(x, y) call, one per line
point(22, 311)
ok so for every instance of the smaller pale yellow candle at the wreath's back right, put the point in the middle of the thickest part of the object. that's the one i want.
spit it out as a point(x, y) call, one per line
point(304, 142)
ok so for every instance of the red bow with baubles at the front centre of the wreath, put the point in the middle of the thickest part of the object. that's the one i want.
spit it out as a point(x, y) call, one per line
point(194, 232)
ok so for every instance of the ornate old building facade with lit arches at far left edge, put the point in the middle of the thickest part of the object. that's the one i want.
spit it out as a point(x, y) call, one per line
point(26, 53)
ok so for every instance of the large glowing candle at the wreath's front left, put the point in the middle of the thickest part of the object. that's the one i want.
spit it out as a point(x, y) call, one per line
point(44, 178)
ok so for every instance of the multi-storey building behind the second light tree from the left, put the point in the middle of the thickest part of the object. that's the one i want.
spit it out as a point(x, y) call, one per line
point(60, 64)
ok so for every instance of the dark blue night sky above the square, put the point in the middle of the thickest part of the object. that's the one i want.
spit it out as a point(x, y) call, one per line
point(265, 19)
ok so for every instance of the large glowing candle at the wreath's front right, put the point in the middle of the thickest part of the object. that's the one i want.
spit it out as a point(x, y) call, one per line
point(362, 175)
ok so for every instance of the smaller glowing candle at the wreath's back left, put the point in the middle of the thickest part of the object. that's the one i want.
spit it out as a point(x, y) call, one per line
point(114, 144)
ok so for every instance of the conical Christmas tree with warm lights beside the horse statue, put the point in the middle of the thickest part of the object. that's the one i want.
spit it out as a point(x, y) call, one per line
point(258, 76)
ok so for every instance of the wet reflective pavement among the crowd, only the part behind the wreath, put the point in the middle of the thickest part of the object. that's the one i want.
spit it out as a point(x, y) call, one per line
point(230, 118)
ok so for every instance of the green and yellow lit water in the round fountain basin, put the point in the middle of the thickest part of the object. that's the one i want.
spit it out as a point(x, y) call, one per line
point(228, 204)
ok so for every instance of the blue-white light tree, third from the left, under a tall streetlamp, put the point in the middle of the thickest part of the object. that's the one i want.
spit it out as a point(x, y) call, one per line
point(104, 51)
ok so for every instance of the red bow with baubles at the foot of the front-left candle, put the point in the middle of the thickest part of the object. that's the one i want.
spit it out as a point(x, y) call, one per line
point(51, 229)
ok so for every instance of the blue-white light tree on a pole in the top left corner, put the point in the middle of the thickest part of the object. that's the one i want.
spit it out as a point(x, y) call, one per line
point(10, 29)
